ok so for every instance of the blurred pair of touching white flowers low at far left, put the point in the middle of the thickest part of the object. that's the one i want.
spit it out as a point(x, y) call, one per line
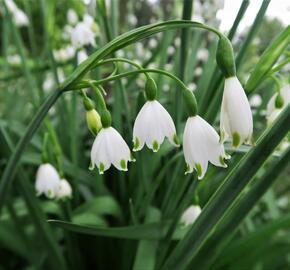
point(49, 183)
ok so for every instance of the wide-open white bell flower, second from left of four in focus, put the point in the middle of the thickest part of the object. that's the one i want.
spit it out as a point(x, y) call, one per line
point(153, 123)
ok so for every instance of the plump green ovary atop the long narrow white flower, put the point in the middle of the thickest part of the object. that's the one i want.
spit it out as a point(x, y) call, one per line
point(225, 57)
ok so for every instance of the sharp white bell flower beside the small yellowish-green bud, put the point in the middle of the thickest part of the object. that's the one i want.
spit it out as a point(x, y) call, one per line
point(110, 148)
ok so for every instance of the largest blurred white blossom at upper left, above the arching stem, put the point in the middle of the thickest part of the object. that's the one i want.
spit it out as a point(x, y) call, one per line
point(82, 35)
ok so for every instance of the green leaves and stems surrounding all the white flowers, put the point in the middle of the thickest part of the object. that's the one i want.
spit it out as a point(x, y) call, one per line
point(133, 219)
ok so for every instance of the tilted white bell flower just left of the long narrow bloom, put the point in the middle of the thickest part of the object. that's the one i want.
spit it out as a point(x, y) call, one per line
point(201, 143)
